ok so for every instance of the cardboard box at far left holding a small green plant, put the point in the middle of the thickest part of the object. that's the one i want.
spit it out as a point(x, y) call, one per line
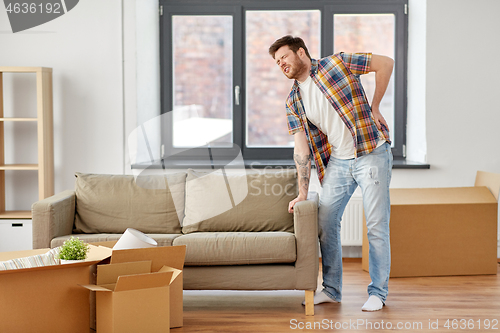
point(46, 299)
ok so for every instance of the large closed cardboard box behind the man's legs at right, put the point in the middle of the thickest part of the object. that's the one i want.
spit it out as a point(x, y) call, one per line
point(441, 231)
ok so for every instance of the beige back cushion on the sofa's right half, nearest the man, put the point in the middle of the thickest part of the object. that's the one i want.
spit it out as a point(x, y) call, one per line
point(259, 201)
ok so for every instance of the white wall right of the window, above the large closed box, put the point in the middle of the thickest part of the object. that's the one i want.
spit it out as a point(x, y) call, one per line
point(462, 114)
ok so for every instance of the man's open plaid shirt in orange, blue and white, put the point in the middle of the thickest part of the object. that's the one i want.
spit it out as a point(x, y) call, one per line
point(337, 76)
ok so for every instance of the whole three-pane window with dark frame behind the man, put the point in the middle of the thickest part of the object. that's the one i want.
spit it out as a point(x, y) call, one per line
point(225, 90)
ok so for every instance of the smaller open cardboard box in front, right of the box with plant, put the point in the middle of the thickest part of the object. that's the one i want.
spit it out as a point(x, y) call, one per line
point(132, 298)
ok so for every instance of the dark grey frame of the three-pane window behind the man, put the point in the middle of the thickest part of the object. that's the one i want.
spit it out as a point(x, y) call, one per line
point(238, 8)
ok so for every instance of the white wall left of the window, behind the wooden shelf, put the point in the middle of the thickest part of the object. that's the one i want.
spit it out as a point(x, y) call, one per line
point(84, 48)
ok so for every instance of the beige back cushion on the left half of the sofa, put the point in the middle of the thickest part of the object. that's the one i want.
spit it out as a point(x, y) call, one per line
point(113, 203)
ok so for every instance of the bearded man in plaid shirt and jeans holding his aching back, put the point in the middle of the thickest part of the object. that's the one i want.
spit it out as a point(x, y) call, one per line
point(332, 123)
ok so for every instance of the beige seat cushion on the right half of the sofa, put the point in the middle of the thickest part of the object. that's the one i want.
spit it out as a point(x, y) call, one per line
point(238, 248)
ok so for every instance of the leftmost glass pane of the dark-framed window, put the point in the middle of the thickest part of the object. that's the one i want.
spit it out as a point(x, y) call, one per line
point(202, 58)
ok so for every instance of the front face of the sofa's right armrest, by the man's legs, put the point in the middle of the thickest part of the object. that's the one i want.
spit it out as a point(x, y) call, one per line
point(305, 217)
